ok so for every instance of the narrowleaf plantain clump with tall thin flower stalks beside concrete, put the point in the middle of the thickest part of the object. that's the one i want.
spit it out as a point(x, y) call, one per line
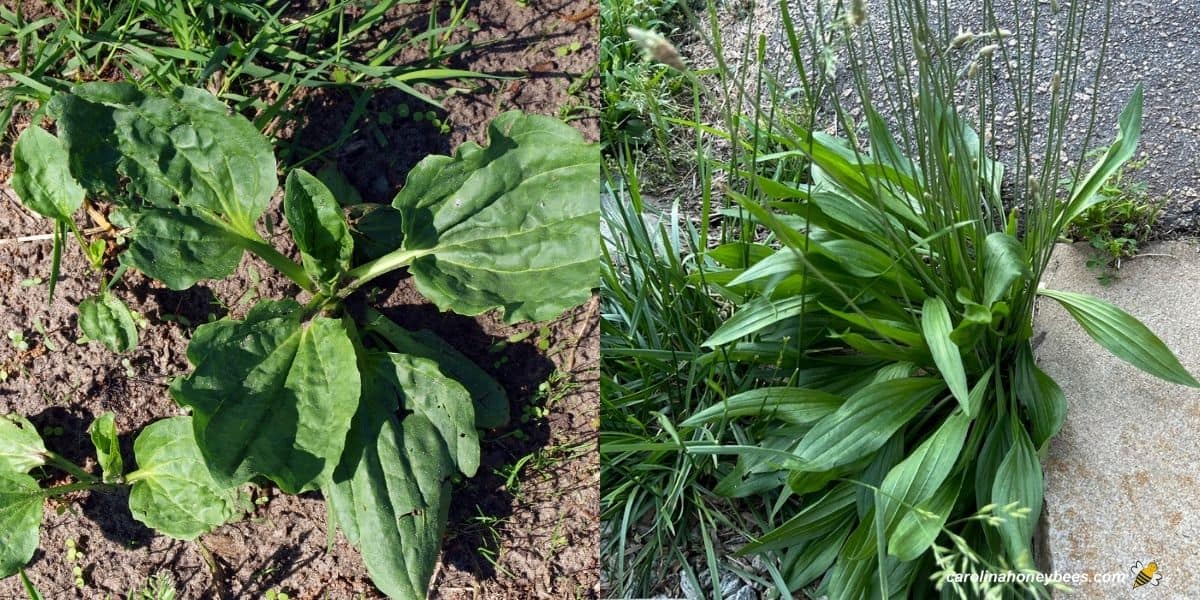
point(890, 313)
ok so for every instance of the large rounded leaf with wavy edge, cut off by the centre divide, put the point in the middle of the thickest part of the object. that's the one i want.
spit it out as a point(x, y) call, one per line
point(511, 226)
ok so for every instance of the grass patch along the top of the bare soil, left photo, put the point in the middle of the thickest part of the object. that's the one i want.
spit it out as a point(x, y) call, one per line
point(254, 55)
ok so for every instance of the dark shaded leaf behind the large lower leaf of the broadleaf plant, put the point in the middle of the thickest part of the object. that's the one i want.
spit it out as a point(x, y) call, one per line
point(491, 403)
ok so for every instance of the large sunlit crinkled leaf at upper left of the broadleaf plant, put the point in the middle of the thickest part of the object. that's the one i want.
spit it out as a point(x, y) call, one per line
point(189, 143)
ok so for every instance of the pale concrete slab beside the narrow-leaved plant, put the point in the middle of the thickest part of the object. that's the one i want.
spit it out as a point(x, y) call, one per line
point(1124, 476)
